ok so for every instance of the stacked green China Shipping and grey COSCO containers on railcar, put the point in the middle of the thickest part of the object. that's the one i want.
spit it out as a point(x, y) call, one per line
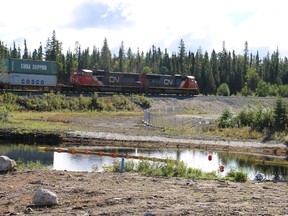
point(22, 74)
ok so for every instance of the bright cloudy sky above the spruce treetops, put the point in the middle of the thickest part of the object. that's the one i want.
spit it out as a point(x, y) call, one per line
point(139, 24)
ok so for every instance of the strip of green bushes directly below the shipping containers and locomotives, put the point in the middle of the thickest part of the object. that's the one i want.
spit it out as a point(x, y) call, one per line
point(51, 102)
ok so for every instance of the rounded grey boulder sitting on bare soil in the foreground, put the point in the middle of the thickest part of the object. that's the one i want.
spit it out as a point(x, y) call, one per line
point(44, 197)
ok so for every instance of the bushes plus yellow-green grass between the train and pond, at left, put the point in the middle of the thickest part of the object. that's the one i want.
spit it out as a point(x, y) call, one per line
point(25, 114)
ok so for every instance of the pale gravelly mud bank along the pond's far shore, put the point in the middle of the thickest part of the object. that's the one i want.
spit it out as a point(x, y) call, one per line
point(114, 139)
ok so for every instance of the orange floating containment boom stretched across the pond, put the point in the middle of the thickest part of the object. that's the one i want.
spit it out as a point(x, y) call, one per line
point(114, 155)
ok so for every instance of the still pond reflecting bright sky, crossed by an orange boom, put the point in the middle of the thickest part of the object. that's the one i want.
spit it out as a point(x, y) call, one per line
point(272, 168)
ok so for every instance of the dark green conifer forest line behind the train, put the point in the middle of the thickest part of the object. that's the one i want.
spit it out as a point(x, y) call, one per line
point(245, 73)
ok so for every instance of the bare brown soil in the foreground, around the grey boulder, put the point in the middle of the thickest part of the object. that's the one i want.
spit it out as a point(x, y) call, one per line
point(82, 193)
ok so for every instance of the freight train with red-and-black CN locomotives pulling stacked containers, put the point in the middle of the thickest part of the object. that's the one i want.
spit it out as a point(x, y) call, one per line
point(20, 74)
